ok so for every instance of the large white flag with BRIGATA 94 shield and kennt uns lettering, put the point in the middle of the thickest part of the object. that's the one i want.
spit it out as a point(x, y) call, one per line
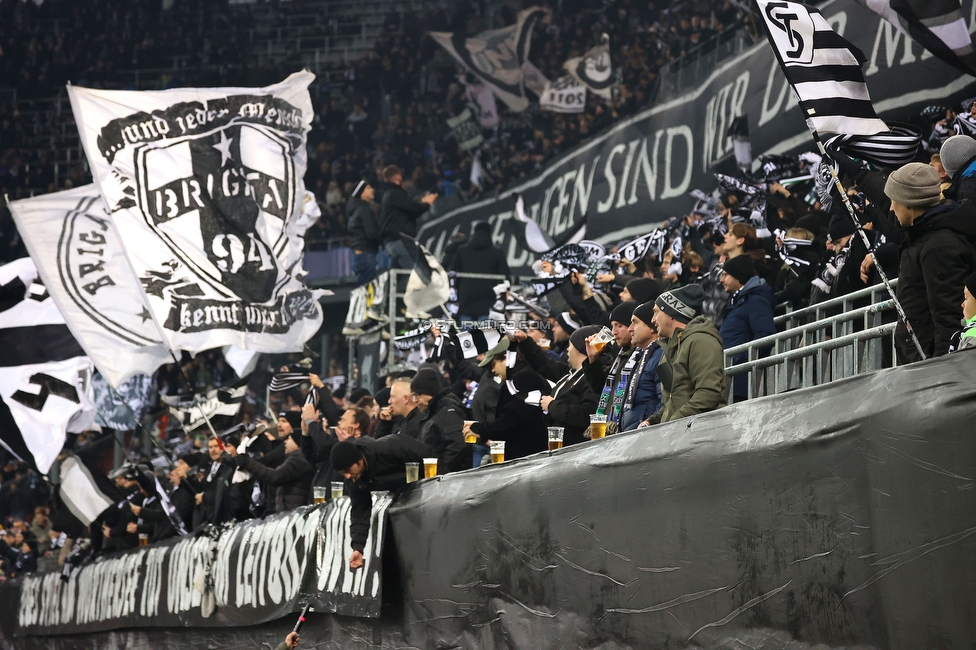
point(205, 188)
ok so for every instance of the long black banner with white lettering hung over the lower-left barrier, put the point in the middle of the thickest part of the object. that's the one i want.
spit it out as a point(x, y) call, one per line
point(254, 572)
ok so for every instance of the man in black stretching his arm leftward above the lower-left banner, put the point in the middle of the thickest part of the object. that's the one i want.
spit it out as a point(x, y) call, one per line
point(292, 479)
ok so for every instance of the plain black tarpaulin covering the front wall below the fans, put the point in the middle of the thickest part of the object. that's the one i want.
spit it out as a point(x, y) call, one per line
point(842, 515)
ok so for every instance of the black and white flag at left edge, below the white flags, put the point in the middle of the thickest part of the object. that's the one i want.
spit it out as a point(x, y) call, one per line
point(45, 377)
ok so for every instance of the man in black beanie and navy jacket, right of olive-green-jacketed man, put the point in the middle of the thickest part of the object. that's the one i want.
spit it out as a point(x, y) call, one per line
point(749, 315)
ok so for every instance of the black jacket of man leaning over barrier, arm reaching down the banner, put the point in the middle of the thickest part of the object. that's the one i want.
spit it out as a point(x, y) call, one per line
point(384, 470)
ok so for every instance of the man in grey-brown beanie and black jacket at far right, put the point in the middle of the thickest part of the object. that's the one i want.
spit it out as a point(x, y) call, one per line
point(938, 254)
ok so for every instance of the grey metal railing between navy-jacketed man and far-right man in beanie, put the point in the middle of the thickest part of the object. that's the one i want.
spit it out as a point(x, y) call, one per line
point(831, 340)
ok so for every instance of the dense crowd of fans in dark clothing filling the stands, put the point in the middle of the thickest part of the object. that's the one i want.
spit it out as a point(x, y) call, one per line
point(665, 319)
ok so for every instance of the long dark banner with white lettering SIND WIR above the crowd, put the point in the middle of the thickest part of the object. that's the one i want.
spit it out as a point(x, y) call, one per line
point(640, 172)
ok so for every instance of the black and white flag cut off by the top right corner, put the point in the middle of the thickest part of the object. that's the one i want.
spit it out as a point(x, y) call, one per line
point(938, 25)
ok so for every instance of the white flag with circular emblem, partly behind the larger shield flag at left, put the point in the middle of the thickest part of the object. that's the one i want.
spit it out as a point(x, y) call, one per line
point(79, 255)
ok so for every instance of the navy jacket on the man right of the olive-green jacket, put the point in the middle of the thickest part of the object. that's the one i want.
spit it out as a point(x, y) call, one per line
point(748, 317)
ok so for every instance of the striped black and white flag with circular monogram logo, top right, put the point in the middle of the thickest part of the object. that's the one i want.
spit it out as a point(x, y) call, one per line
point(823, 68)
